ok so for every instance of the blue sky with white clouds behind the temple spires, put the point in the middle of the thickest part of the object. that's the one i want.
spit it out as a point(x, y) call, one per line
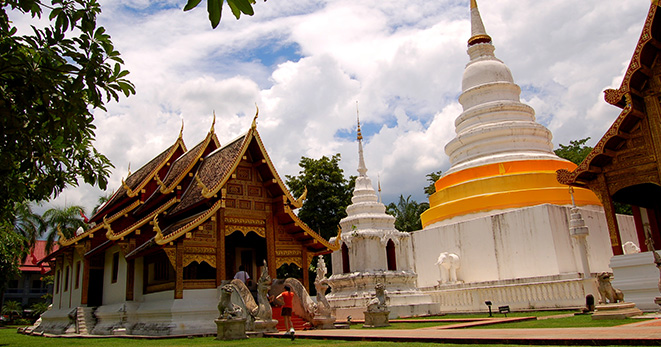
point(306, 63)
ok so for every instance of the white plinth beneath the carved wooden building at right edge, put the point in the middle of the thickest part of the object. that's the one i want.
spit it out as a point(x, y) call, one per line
point(637, 277)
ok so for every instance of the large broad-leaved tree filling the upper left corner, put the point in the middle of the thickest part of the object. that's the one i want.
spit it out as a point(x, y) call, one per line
point(49, 83)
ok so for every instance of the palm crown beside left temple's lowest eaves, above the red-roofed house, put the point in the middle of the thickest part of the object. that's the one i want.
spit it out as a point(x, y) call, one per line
point(65, 219)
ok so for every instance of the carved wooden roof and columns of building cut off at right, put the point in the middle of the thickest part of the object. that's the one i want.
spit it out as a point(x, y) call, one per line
point(624, 165)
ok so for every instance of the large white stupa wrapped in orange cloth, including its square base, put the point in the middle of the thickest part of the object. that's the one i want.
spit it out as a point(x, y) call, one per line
point(499, 211)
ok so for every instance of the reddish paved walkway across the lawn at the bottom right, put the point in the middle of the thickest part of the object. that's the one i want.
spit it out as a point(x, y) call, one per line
point(646, 333)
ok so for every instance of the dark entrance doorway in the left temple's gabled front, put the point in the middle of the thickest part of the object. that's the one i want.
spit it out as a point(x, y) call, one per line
point(248, 250)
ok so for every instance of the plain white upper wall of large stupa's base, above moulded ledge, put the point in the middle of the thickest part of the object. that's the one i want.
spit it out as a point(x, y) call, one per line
point(519, 243)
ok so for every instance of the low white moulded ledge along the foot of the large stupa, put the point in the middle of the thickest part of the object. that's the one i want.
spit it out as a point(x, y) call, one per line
point(520, 294)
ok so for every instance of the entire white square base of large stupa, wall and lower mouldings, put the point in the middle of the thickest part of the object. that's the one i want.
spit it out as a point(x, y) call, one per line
point(522, 257)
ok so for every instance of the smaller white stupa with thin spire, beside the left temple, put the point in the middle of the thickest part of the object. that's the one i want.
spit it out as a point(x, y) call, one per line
point(373, 251)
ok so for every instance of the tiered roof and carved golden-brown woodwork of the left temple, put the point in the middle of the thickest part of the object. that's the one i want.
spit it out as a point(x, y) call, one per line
point(186, 214)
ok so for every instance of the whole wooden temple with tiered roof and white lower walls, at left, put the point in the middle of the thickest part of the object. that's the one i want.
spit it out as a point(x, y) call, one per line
point(156, 253)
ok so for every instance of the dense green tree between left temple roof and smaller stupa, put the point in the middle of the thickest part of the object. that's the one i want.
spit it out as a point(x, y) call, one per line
point(329, 193)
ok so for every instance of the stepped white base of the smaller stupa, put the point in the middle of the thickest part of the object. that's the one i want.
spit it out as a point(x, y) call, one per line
point(352, 292)
